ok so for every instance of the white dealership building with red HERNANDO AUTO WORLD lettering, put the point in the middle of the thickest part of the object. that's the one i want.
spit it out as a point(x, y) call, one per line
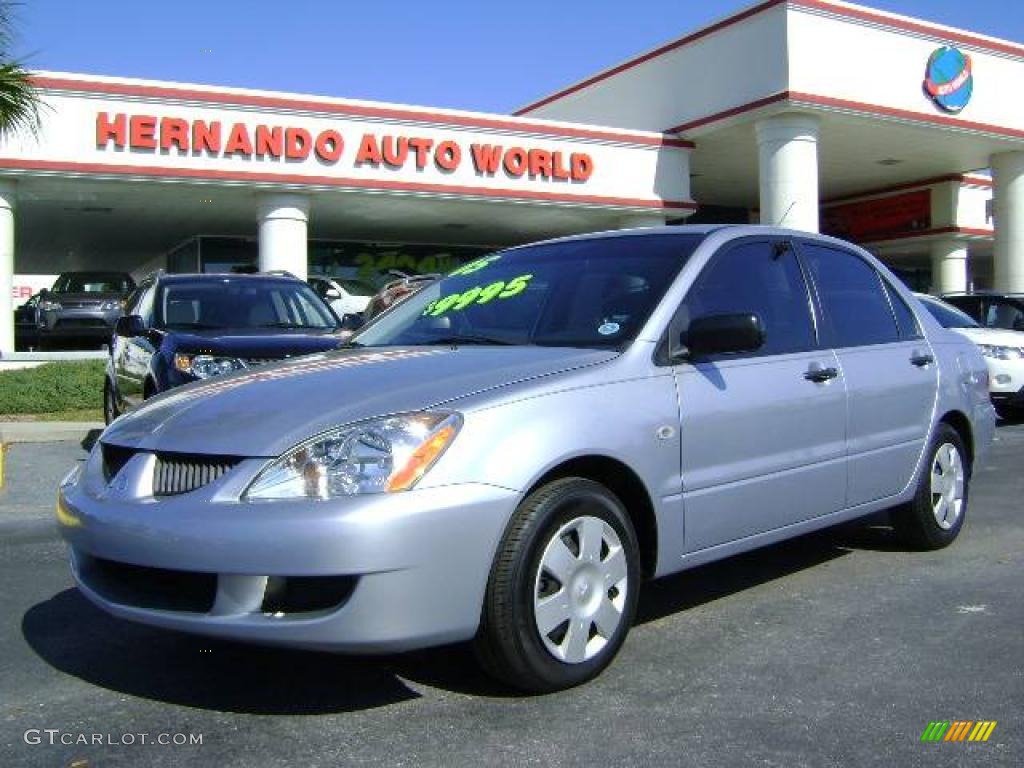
point(898, 134)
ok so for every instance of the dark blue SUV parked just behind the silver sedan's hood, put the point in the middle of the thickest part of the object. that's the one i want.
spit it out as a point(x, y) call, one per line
point(182, 328)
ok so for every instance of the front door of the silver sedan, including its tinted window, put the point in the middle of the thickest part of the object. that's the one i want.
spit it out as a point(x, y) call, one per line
point(762, 434)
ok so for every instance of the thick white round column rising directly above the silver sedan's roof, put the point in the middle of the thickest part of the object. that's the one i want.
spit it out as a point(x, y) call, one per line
point(788, 153)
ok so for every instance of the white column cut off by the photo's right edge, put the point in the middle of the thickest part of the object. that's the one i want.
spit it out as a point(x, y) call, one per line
point(1008, 197)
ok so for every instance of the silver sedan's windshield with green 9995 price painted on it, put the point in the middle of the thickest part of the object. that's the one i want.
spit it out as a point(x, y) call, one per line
point(573, 293)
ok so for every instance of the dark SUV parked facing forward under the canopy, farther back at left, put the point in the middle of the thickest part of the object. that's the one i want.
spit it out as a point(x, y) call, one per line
point(82, 308)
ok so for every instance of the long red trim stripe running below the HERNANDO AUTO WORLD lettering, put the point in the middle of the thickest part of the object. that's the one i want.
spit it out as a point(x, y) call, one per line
point(357, 184)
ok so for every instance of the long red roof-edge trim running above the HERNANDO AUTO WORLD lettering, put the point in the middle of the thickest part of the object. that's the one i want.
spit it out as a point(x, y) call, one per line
point(284, 103)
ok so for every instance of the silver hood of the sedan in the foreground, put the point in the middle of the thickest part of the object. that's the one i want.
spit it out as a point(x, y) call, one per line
point(267, 411)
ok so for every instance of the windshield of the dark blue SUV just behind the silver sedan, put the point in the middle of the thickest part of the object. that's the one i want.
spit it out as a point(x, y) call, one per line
point(241, 304)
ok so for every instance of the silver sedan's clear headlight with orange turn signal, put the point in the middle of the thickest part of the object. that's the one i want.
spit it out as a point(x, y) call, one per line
point(380, 456)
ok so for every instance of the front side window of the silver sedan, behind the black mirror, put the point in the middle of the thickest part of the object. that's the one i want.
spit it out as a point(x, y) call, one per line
point(752, 277)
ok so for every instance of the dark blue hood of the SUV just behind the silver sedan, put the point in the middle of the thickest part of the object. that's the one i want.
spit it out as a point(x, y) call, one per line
point(259, 343)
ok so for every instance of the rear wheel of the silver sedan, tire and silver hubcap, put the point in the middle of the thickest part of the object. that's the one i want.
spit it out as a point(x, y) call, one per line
point(935, 517)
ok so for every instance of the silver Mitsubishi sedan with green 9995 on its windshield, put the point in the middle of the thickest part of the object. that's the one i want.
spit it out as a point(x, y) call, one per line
point(508, 455)
